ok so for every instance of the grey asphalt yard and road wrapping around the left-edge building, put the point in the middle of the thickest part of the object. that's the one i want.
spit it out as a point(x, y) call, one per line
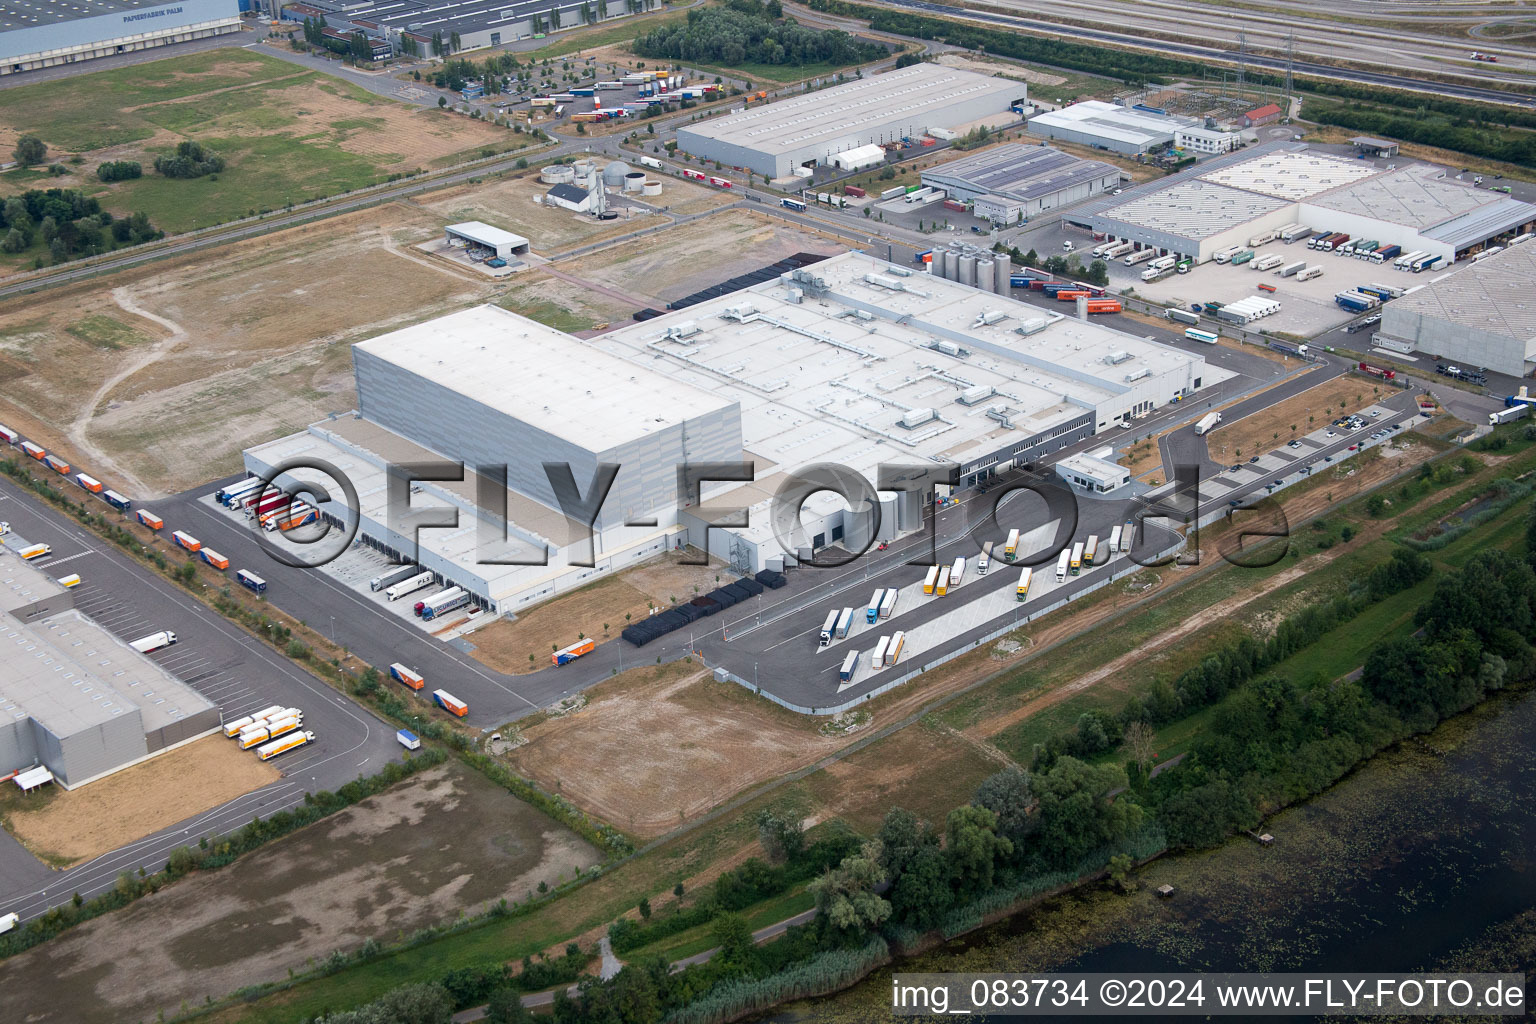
point(217, 659)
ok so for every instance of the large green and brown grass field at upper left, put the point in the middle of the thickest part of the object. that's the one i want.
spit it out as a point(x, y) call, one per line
point(288, 136)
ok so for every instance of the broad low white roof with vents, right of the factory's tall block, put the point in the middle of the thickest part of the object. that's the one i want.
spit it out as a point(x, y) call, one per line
point(818, 383)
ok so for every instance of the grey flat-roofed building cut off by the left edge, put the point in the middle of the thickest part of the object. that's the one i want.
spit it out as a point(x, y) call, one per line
point(74, 699)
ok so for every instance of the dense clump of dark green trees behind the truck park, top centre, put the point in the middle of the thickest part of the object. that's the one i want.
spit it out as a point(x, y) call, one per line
point(753, 33)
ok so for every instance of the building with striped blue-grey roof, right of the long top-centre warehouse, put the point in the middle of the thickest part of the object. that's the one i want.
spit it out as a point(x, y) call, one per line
point(1015, 183)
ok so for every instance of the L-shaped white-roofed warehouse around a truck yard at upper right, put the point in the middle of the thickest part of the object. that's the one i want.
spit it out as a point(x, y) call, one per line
point(1242, 196)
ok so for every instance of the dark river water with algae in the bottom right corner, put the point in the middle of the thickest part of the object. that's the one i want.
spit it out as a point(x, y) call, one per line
point(1422, 860)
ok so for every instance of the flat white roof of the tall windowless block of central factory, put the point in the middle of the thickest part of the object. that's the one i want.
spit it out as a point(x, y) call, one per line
point(543, 377)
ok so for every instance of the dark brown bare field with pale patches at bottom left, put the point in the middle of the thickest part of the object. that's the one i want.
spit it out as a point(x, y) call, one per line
point(435, 845)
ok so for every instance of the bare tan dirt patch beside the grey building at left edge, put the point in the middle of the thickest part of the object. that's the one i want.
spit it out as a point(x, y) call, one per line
point(67, 828)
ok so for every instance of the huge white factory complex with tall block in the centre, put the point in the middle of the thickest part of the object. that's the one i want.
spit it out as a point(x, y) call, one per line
point(852, 362)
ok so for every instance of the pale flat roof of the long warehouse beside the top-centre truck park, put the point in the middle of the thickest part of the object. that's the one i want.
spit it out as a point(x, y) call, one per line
point(922, 91)
